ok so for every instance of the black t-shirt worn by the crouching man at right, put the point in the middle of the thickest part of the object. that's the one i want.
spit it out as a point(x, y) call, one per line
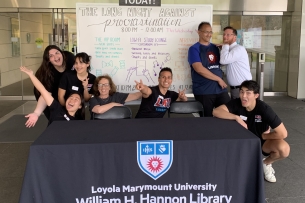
point(259, 119)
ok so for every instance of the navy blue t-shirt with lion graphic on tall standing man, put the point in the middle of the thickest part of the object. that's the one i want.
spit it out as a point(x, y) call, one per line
point(209, 57)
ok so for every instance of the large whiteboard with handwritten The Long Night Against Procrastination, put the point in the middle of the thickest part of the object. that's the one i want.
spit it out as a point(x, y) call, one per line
point(132, 43)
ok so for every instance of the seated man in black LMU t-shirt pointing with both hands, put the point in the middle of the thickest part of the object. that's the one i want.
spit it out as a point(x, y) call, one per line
point(157, 99)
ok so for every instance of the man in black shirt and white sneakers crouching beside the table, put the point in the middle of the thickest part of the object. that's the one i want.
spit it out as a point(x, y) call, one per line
point(259, 118)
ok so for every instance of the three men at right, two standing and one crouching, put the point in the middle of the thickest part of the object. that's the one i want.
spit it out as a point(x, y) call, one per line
point(244, 105)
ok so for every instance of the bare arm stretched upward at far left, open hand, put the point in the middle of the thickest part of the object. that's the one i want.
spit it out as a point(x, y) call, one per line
point(44, 93)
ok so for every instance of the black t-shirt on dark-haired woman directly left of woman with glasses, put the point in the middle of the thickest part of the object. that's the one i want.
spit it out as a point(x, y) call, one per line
point(70, 82)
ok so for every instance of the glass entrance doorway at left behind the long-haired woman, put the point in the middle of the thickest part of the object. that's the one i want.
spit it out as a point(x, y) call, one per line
point(25, 34)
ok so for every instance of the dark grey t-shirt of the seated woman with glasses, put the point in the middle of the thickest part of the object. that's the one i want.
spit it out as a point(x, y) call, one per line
point(117, 97)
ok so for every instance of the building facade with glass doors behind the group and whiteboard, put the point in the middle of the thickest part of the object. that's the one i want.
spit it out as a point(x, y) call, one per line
point(28, 26)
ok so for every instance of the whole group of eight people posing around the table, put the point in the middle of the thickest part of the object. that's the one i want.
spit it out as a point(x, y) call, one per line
point(64, 84)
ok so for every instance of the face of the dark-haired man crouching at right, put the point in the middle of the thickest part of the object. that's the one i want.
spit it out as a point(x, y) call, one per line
point(248, 98)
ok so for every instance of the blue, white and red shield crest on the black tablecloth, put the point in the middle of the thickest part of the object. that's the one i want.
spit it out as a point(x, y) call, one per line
point(155, 157)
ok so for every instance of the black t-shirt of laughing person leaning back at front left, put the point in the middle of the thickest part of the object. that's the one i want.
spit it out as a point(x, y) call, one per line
point(58, 113)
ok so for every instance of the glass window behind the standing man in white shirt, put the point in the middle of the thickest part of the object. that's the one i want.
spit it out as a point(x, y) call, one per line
point(260, 34)
